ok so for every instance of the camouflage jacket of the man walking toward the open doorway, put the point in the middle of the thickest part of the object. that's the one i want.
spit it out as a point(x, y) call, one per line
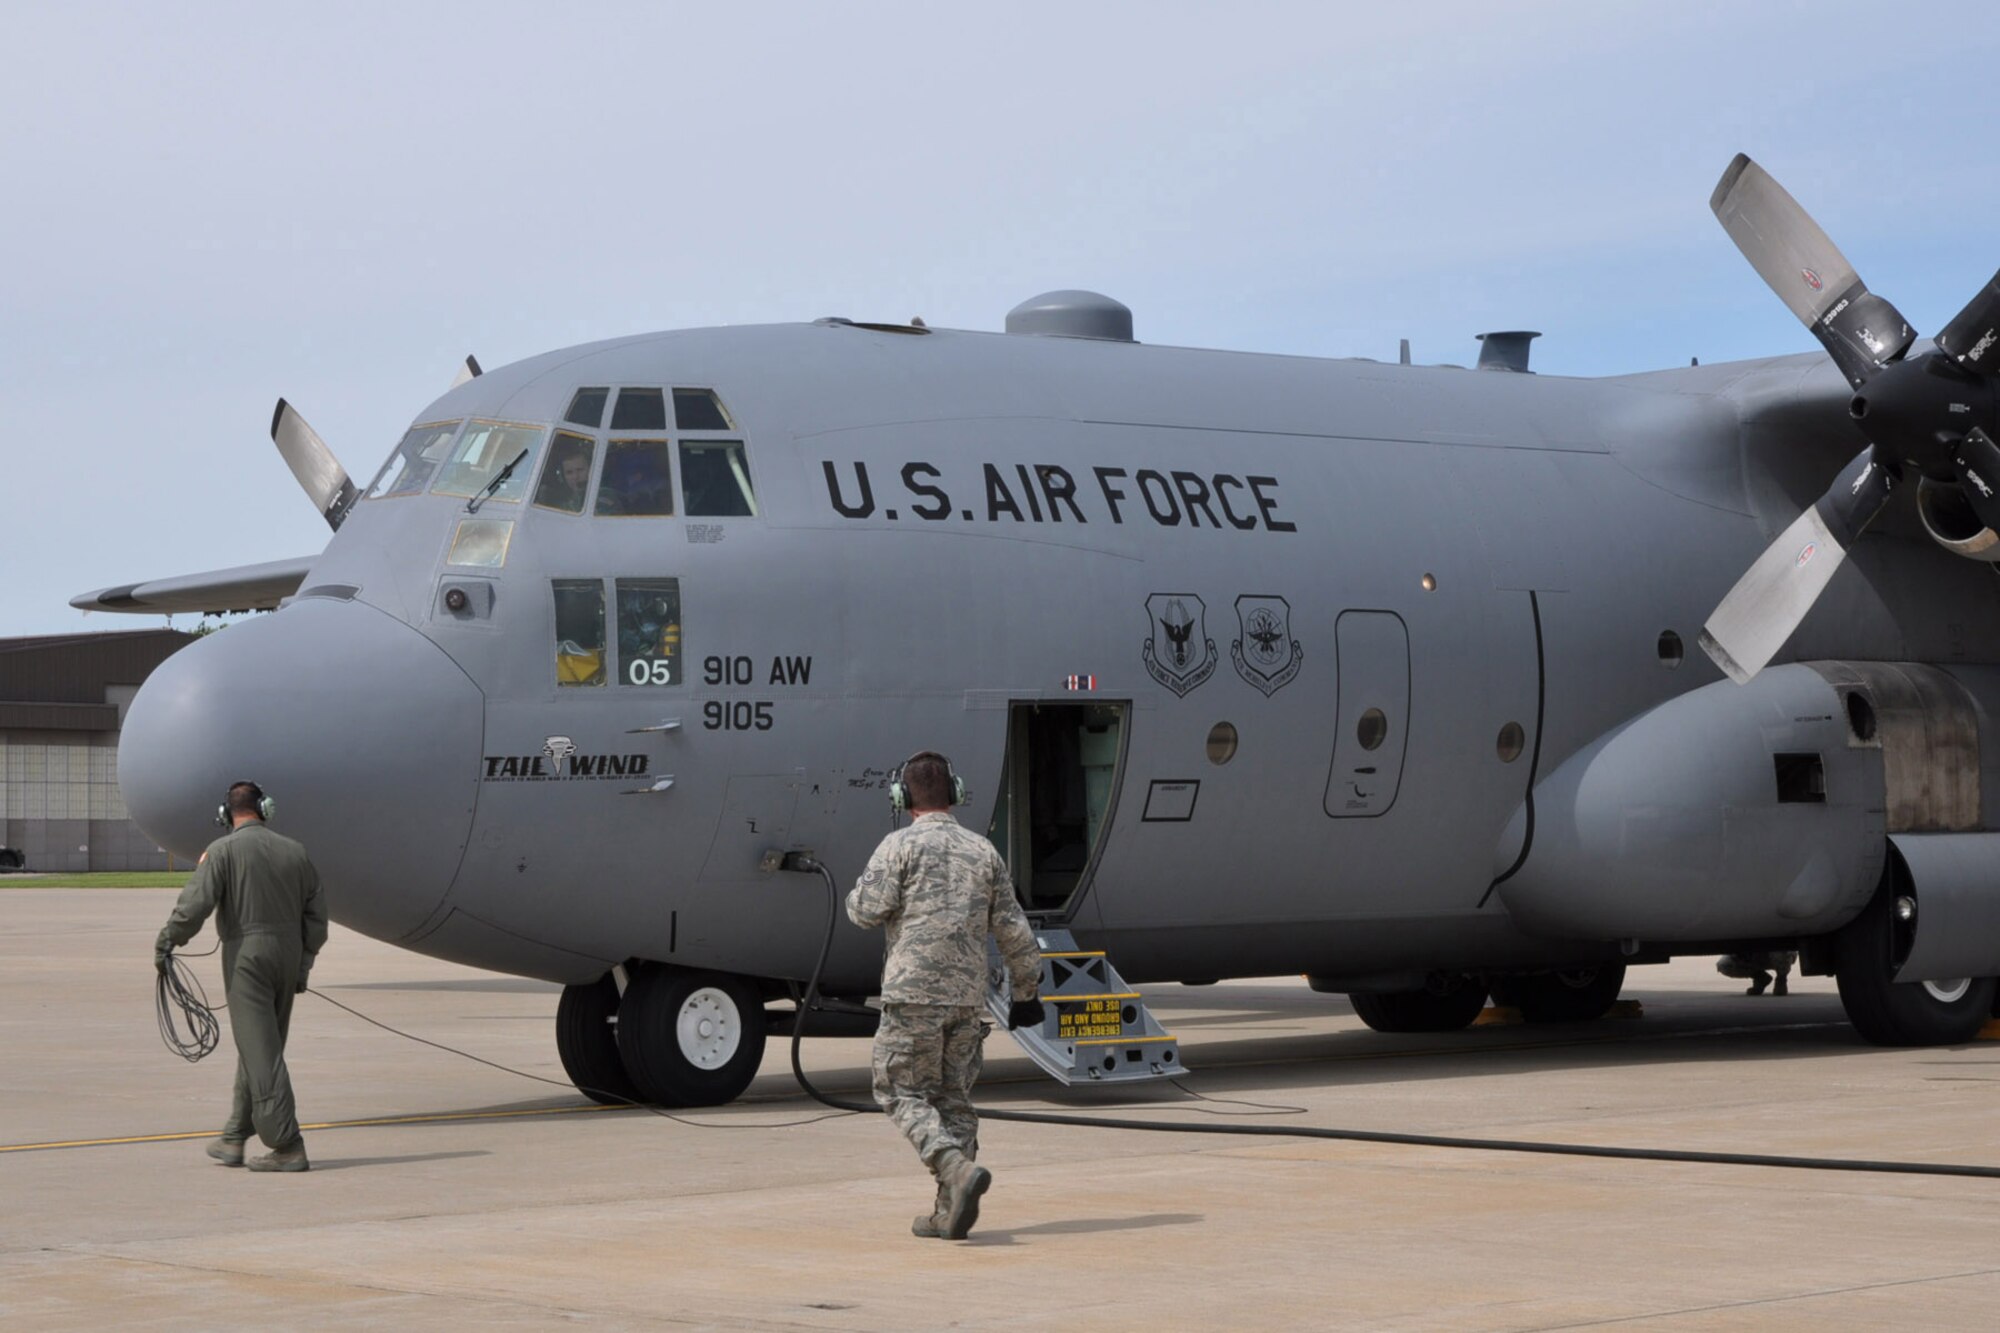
point(943, 890)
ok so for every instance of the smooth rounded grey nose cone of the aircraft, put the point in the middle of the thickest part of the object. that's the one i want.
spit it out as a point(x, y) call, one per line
point(361, 730)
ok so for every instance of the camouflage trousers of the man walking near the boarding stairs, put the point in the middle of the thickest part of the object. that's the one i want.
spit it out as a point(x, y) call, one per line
point(927, 1058)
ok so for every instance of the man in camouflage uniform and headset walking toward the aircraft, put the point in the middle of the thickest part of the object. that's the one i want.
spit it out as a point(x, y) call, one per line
point(941, 890)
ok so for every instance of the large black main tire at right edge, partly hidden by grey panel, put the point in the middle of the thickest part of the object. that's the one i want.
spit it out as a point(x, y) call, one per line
point(1901, 1014)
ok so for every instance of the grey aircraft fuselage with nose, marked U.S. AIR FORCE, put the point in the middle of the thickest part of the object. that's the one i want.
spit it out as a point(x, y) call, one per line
point(1337, 619)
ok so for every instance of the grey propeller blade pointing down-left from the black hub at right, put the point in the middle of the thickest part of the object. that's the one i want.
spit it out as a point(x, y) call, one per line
point(1783, 583)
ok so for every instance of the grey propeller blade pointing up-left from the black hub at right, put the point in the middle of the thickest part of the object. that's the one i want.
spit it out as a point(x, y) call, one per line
point(1809, 273)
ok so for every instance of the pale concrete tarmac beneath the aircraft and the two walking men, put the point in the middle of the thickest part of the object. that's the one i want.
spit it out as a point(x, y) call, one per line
point(453, 1194)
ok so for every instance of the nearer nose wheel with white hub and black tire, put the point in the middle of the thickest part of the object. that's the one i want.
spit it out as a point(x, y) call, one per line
point(689, 1038)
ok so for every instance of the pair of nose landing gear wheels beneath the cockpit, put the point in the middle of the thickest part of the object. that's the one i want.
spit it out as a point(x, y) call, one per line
point(677, 1038)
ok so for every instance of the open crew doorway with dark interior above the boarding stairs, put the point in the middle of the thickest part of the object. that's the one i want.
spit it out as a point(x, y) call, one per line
point(1059, 790)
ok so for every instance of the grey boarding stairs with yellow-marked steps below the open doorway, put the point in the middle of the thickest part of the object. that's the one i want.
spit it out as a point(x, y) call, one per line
point(1095, 1028)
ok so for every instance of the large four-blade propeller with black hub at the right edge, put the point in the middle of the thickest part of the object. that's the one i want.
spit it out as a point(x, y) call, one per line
point(1931, 413)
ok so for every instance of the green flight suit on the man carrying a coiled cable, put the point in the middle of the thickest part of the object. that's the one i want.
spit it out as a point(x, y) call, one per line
point(271, 916)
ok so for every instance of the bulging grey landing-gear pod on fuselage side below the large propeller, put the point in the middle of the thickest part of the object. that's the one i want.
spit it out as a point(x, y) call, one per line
point(1749, 812)
